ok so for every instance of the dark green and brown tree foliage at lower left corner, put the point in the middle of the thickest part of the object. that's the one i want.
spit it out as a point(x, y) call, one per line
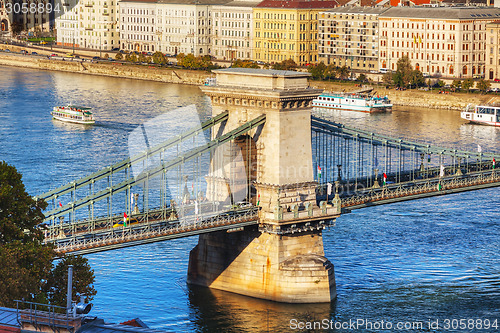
point(25, 262)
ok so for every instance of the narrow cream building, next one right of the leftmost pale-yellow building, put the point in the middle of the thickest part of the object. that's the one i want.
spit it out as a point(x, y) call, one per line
point(138, 25)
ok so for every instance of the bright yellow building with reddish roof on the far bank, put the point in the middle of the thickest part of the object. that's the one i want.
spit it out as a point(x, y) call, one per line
point(288, 30)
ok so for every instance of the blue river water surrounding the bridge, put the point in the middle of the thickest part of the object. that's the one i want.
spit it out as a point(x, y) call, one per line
point(424, 262)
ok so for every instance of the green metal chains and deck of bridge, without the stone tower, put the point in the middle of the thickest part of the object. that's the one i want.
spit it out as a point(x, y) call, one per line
point(353, 162)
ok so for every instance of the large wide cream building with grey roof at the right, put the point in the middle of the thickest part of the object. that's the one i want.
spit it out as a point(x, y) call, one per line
point(440, 41)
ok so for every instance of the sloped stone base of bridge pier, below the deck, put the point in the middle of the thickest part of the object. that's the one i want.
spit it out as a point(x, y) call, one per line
point(289, 268)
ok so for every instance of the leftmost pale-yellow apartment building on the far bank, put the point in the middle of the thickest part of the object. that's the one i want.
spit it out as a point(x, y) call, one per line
point(96, 23)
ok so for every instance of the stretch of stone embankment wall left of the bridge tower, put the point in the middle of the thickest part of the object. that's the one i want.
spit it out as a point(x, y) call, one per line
point(140, 72)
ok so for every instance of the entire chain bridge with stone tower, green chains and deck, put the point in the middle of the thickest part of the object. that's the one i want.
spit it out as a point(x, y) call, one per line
point(258, 182)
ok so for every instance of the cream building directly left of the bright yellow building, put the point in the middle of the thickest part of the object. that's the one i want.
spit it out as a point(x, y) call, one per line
point(232, 29)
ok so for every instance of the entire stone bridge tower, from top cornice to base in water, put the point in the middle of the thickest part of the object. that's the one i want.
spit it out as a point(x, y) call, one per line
point(271, 166)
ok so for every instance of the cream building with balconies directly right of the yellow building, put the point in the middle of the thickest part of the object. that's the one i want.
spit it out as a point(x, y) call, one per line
point(348, 36)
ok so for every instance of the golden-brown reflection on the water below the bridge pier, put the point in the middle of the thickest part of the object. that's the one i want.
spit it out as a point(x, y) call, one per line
point(219, 311)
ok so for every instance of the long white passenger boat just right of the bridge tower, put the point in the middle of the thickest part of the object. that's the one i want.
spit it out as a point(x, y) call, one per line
point(353, 102)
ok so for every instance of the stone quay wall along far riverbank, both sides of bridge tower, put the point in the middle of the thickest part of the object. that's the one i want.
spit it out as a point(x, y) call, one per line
point(410, 98)
